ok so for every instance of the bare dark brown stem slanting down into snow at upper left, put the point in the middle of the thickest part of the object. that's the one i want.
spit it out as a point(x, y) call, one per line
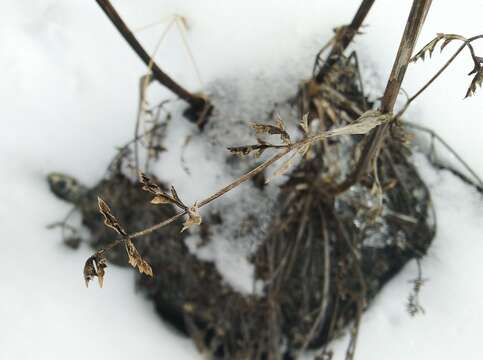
point(197, 103)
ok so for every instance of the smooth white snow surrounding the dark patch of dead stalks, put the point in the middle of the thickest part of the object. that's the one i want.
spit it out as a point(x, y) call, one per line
point(69, 96)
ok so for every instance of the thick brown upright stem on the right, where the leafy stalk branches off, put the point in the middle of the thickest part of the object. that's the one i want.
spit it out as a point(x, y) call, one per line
point(414, 24)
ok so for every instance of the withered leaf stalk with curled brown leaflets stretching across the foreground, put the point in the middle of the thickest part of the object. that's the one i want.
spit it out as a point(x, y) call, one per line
point(365, 123)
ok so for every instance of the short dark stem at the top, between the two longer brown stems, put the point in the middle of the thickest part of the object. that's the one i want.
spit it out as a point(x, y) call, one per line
point(344, 39)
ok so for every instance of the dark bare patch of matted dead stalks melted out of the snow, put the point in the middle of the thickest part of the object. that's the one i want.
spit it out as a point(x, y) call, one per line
point(323, 260)
